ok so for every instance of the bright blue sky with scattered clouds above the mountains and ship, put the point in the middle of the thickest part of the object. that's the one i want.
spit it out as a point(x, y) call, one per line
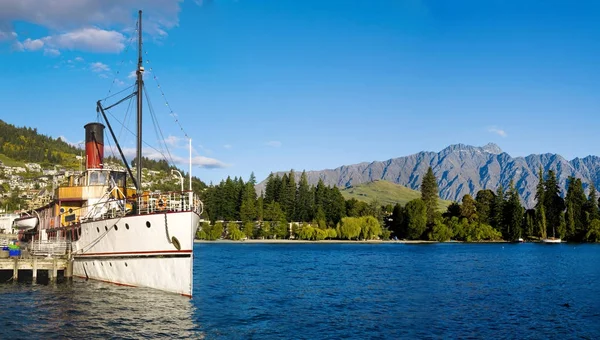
point(268, 85)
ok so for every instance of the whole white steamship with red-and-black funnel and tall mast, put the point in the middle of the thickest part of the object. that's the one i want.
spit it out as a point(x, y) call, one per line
point(118, 232)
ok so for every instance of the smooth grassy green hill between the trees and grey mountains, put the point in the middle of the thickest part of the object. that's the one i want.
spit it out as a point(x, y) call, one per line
point(385, 193)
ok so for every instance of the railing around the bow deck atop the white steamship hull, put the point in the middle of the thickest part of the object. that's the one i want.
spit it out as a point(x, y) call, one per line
point(167, 202)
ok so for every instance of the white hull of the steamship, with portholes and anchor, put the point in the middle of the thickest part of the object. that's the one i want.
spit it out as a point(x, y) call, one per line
point(153, 250)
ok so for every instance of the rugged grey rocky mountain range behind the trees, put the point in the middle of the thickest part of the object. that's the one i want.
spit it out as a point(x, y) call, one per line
point(463, 169)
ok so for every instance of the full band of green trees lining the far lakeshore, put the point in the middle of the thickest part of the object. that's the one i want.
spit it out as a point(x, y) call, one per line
point(321, 212)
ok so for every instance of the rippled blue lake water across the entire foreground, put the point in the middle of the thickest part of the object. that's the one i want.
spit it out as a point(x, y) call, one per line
point(332, 291)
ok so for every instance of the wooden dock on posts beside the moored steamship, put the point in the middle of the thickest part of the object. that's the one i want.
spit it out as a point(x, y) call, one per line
point(34, 264)
